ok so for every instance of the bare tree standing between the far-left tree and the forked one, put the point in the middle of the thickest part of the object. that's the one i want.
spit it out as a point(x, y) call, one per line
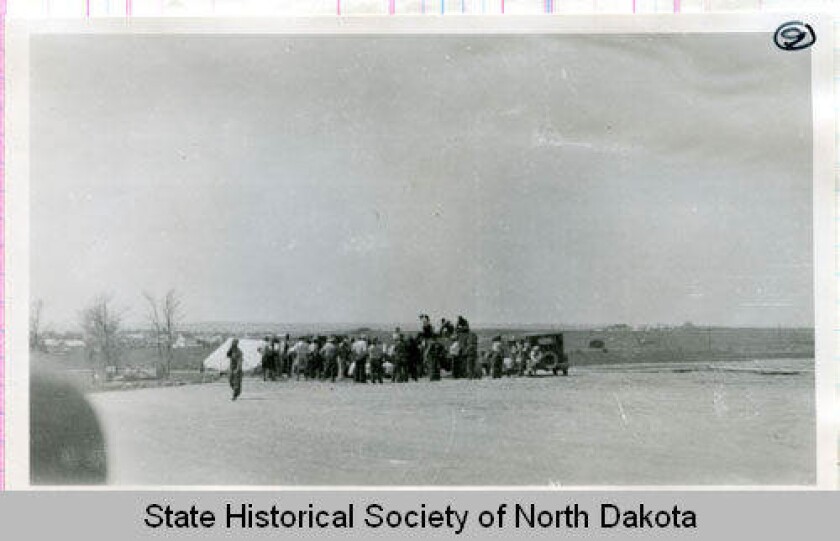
point(101, 323)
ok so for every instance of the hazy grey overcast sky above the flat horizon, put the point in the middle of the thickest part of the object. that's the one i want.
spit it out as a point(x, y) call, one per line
point(357, 179)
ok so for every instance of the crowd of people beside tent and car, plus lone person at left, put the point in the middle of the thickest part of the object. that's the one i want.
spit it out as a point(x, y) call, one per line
point(453, 347)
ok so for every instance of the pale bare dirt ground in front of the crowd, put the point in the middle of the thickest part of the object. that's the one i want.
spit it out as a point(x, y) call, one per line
point(743, 424)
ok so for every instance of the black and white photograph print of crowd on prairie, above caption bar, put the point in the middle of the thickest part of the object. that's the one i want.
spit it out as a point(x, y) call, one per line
point(545, 259)
